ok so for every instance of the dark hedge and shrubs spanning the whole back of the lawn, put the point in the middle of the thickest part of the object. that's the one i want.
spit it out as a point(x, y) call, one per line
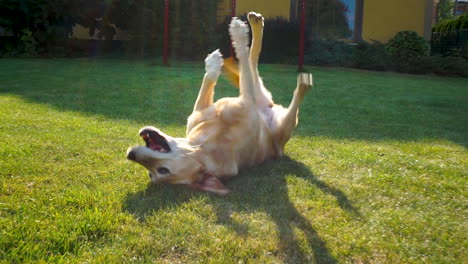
point(45, 28)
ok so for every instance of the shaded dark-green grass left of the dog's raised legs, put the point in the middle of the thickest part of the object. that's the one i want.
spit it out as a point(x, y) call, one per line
point(114, 89)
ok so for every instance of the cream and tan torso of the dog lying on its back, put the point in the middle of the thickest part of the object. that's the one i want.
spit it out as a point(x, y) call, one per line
point(232, 135)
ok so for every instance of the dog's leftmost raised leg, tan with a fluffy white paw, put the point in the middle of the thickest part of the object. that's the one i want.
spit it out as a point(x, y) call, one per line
point(213, 64)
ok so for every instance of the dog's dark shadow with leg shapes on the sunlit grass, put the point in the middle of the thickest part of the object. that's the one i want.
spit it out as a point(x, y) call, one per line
point(260, 189)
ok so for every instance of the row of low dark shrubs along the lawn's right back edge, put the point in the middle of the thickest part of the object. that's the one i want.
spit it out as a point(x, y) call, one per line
point(380, 57)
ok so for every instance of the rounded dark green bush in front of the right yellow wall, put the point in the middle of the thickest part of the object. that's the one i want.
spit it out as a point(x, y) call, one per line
point(406, 47)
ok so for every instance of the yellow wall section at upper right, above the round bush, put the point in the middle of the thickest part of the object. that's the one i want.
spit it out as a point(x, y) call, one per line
point(383, 18)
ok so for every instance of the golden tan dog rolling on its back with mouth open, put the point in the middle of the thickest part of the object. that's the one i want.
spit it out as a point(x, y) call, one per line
point(230, 134)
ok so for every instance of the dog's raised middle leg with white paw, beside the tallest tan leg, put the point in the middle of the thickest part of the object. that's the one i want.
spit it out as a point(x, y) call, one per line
point(238, 31)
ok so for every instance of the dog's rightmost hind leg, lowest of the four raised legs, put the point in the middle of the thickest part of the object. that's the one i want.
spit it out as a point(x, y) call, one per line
point(288, 121)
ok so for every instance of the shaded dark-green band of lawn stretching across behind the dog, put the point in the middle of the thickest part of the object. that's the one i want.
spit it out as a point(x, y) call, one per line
point(343, 103)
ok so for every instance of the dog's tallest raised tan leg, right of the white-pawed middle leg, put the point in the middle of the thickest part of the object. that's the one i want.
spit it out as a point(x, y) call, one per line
point(263, 96)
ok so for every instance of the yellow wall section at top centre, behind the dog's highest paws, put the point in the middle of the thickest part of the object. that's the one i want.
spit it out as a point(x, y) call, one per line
point(268, 8)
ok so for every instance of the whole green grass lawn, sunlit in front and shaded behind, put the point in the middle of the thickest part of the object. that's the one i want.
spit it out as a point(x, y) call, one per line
point(376, 172)
